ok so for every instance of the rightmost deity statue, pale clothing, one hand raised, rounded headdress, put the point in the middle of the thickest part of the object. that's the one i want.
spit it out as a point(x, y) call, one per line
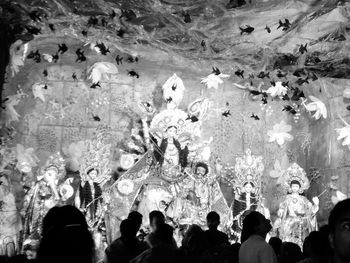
point(296, 214)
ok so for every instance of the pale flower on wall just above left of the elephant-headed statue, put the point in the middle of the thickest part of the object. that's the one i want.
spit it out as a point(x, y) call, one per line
point(26, 159)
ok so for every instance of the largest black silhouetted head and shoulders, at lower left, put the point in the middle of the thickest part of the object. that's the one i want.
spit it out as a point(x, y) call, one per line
point(66, 238)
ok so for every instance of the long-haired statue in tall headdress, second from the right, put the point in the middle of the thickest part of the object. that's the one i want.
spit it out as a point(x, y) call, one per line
point(247, 185)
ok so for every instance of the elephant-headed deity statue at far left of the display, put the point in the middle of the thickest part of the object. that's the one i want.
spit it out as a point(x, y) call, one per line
point(43, 196)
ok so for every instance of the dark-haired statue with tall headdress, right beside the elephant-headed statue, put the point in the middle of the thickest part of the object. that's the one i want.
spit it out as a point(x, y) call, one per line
point(90, 197)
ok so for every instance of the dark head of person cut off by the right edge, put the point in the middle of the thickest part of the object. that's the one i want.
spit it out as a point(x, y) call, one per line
point(339, 232)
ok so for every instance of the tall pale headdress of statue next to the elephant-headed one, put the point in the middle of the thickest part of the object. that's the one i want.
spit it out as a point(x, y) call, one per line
point(96, 157)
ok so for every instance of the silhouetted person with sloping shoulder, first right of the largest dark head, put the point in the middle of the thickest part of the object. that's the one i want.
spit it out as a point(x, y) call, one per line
point(126, 247)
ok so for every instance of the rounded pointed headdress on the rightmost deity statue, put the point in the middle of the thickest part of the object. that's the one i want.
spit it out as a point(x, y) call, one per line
point(296, 173)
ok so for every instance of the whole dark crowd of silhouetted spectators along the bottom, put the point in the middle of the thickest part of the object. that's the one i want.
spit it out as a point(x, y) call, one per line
point(66, 238)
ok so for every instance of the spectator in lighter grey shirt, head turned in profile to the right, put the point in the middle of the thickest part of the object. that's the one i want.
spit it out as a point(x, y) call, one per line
point(254, 248)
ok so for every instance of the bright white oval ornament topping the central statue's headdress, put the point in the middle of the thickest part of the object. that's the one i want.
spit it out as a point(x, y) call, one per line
point(173, 91)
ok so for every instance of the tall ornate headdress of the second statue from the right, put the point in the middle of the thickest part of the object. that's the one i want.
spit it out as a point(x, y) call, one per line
point(248, 169)
